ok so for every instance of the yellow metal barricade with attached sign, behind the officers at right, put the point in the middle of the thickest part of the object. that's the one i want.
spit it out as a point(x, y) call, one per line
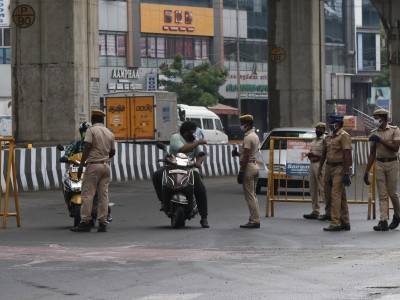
point(279, 181)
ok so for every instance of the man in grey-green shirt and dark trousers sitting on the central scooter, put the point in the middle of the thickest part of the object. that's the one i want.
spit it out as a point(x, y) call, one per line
point(185, 142)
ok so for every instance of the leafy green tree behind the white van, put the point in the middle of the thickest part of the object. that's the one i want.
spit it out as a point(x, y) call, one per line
point(196, 86)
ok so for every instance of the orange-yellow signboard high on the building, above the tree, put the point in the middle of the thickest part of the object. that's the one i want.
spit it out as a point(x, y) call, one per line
point(176, 20)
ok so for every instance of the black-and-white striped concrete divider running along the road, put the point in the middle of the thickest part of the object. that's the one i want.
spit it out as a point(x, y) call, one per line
point(39, 169)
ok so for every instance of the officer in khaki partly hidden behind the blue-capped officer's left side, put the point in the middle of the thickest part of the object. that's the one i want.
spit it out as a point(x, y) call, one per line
point(316, 183)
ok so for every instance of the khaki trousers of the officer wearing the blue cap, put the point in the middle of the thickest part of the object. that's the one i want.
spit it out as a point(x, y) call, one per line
point(335, 197)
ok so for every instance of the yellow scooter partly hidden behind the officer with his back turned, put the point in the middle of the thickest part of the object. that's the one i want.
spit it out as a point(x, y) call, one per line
point(72, 188)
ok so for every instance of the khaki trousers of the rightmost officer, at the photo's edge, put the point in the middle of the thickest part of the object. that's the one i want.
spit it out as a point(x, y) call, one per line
point(386, 182)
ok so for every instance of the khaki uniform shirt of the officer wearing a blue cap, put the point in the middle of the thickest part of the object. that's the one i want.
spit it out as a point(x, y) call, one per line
point(336, 143)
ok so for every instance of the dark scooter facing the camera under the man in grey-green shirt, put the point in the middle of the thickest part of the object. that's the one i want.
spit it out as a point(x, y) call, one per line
point(178, 187)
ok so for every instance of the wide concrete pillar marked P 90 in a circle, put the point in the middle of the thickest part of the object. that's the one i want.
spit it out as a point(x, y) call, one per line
point(55, 68)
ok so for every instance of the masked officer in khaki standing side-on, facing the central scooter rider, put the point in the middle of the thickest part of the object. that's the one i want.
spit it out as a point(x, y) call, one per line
point(249, 171)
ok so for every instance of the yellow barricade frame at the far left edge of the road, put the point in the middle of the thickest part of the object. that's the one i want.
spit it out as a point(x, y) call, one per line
point(10, 170)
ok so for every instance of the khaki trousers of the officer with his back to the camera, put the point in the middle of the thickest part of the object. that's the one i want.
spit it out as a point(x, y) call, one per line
point(96, 178)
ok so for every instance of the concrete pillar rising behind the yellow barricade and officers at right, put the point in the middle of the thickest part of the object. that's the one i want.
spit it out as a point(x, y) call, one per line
point(296, 67)
